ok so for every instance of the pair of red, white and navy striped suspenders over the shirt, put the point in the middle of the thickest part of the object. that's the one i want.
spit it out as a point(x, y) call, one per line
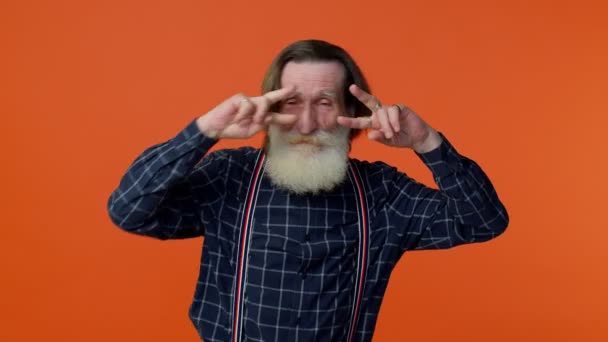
point(246, 225)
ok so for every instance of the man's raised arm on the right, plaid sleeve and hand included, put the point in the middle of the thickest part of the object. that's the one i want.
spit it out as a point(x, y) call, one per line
point(465, 208)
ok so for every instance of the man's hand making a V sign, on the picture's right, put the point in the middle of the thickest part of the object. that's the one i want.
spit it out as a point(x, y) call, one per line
point(394, 125)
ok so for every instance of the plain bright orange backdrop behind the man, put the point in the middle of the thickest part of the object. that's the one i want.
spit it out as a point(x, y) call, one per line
point(519, 86)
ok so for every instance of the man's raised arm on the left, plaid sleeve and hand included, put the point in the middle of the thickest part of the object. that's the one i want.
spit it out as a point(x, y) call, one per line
point(165, 192)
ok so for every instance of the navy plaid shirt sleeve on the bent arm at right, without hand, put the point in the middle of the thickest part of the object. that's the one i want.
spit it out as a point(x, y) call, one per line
point(465, 209)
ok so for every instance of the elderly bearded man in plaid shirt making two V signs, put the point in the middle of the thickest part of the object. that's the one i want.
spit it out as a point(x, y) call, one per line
point(300, 239)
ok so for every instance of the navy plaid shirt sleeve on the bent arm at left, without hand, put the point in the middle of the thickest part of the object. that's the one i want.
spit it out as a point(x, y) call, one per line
point(156, 195)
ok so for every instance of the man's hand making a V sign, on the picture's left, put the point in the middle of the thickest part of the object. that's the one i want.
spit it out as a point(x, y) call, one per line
point(241, 117)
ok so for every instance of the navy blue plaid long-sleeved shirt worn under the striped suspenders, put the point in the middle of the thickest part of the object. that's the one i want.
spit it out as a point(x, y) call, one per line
point(301, 266)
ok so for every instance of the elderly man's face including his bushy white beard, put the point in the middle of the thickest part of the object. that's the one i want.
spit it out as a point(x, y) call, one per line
point(312, 154)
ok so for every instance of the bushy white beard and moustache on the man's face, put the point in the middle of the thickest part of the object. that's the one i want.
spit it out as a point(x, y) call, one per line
point(307, 168)
